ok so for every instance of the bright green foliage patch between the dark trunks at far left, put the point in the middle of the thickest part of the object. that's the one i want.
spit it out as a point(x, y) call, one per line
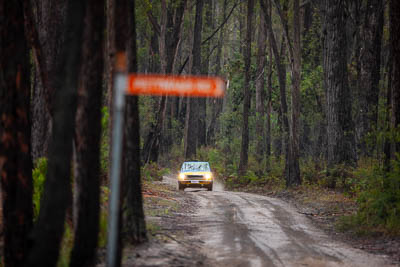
point(38, 176)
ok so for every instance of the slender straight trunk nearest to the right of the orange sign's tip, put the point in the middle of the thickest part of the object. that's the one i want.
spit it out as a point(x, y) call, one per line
point(247, 95)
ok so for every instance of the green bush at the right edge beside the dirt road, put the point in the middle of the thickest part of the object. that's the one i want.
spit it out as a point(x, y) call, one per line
point(378, 197)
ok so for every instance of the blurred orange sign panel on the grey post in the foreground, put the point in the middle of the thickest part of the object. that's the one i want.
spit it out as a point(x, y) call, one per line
point(154, 84)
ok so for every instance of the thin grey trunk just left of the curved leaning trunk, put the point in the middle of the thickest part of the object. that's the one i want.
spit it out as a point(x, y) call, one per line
point(260, 91)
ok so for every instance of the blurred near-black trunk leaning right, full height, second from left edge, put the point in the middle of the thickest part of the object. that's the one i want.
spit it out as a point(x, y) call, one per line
point(57, 190)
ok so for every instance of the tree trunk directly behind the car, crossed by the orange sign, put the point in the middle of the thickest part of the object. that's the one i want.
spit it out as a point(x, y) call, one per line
point(192, 109)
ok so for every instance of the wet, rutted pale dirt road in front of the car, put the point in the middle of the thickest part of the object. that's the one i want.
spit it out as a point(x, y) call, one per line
point(242, 229)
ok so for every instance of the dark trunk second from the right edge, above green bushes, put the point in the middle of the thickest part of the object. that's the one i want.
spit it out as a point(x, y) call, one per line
point(370, 59)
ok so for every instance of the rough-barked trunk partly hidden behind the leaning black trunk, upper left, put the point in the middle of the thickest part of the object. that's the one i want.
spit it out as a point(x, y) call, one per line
point(50, 18)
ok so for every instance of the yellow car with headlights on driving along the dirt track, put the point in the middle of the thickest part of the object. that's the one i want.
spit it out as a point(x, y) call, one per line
point(195, 174)
